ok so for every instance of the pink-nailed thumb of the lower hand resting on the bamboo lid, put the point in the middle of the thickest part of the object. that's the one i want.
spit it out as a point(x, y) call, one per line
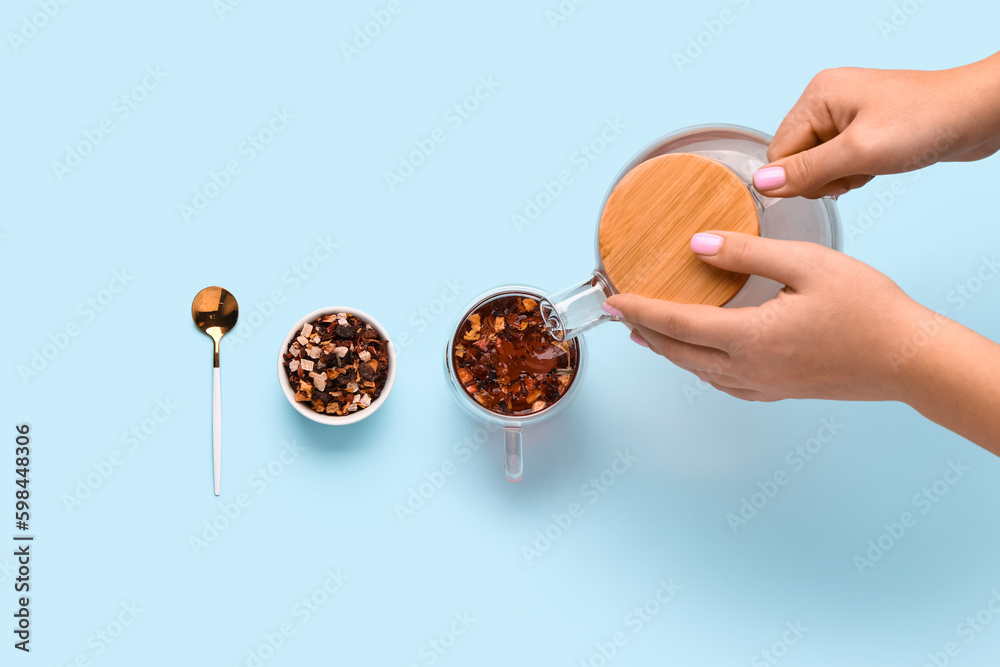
point(791, 263)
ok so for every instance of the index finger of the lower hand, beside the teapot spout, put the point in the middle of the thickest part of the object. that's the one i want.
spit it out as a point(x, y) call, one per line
point(691, 323)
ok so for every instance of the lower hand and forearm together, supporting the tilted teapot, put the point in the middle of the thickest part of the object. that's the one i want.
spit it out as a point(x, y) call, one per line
point(838, 330)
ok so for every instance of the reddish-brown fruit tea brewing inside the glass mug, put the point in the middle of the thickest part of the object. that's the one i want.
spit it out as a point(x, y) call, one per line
point(506, 359)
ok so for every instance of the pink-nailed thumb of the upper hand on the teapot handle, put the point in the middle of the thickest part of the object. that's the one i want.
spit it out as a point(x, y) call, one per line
point(829, 168)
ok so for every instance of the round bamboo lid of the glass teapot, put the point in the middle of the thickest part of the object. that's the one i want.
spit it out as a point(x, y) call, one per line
point(650, 217)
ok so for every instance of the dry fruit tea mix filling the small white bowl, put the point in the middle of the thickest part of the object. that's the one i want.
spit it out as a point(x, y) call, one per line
point(337, 364)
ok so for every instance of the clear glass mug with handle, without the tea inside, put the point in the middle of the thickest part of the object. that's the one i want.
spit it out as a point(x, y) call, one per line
point(511, 424)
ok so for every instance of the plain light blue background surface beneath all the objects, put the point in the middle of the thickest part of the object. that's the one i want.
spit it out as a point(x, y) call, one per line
point(333, 506)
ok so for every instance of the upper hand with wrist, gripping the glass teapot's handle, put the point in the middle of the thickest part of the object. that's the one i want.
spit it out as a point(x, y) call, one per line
point(853, 124)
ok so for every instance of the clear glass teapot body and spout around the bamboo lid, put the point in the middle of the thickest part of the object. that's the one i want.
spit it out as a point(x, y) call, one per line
point(572, 311)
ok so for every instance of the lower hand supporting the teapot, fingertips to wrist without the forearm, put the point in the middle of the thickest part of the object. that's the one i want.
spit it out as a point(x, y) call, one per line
point(830, 333)
